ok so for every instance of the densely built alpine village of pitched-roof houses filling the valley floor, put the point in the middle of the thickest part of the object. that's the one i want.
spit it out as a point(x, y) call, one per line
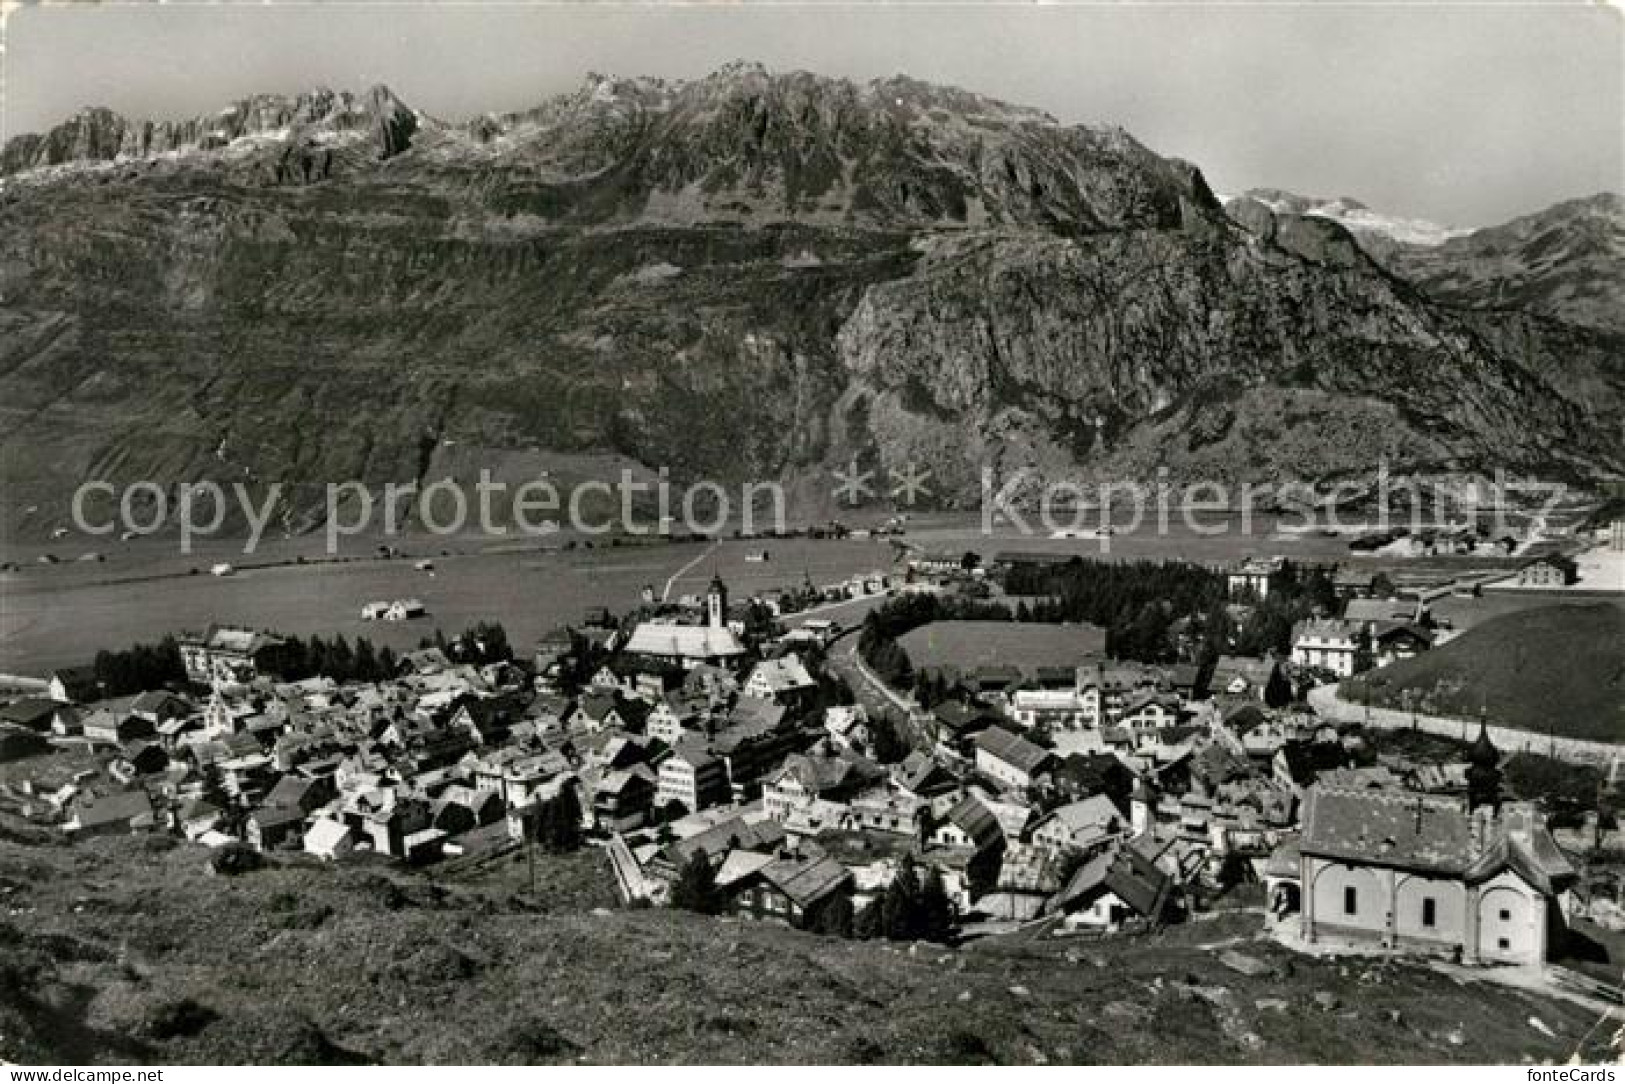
point(958, 763)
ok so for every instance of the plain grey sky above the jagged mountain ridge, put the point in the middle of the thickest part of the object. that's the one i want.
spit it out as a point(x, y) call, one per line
point(1460, 115)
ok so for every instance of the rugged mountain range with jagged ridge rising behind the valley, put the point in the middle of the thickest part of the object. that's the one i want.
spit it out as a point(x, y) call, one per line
point(758, 275)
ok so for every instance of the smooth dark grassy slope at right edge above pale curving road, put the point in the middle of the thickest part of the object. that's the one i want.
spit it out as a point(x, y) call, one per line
point(1553, 670)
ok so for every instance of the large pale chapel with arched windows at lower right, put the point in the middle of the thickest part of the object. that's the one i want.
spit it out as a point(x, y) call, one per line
point(1428, 874)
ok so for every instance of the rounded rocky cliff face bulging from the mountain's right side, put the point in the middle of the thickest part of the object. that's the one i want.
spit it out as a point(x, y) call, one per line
point(1072, 352)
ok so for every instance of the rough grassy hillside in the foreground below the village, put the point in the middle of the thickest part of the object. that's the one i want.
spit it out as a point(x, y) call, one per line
point(126, 950)
